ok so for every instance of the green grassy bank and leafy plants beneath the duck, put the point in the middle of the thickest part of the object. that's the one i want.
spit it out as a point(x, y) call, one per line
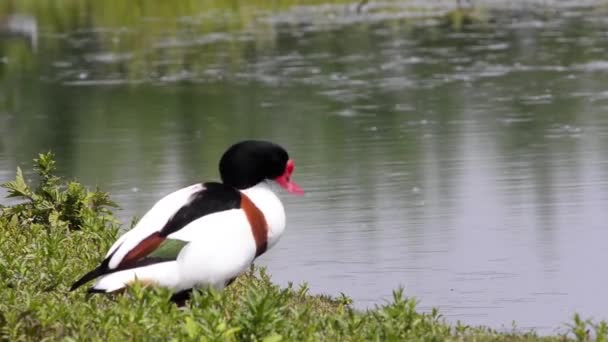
point(61, 229)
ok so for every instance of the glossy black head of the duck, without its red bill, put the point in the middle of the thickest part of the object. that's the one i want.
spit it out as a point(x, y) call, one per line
point(249, 162)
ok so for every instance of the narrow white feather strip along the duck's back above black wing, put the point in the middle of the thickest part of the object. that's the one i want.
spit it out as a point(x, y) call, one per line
point(154, 220)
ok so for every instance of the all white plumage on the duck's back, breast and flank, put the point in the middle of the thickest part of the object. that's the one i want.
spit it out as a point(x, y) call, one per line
point(221, 245)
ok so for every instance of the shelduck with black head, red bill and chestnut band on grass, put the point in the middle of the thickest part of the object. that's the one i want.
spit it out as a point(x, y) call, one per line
point(206, 234)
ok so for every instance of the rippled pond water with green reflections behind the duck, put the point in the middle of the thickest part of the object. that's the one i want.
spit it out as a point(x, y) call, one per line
point(467, 165)
